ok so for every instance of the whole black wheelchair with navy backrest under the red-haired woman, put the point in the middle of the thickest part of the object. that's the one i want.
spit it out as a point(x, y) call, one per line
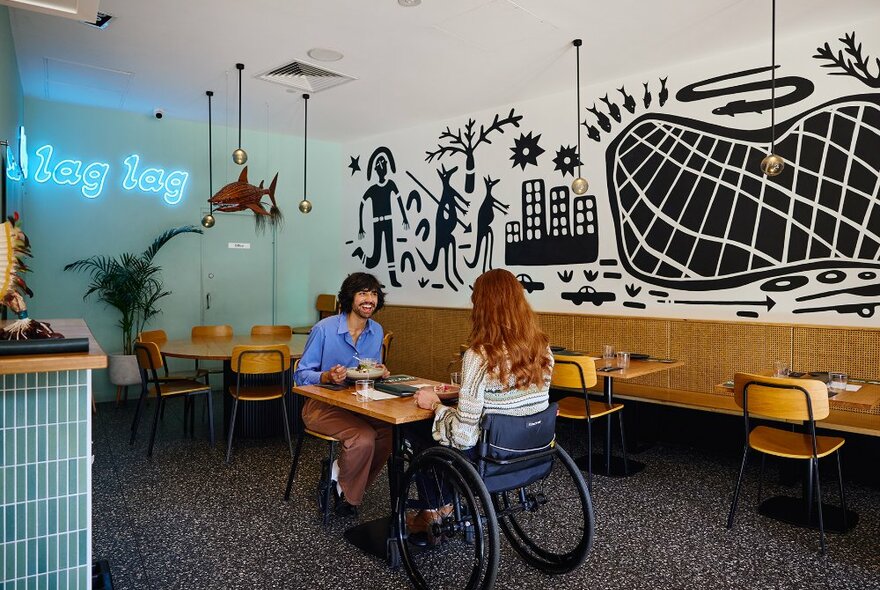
point(517, 479)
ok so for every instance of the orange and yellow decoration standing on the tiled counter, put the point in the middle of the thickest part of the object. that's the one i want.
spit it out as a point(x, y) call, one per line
point(14, 246)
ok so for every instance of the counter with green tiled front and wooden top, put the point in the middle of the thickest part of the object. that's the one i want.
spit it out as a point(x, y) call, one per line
point(46, 441)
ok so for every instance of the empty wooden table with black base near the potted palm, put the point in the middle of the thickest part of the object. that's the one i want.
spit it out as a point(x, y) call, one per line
point(253, 420)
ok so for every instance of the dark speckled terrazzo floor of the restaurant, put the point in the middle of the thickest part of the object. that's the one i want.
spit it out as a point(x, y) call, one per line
point(187, 520)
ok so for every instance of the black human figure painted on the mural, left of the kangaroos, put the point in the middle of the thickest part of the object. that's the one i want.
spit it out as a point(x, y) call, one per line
point(381, 194)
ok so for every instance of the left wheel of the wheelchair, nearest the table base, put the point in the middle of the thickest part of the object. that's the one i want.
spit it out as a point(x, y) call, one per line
point(461, 548)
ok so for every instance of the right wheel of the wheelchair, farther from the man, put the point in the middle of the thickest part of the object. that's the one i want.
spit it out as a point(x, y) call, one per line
point(550, 523)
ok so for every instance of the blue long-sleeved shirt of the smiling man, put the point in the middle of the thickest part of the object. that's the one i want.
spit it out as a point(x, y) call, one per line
point(330, 344)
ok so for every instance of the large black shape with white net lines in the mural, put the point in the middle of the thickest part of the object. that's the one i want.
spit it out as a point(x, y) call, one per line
point(709, 220)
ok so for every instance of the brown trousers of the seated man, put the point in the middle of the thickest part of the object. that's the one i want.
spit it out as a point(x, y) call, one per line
point(365, 442)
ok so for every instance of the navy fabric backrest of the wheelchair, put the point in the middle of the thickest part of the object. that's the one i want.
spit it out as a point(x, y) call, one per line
point(515, 451)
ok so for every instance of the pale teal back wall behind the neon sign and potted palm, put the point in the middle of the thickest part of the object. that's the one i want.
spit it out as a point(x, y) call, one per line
point(64, 226)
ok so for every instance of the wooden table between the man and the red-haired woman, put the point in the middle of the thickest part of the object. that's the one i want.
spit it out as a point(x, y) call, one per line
point(377, 537)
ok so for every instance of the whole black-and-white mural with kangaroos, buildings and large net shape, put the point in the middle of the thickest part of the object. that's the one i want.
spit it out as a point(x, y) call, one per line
point(692, 216)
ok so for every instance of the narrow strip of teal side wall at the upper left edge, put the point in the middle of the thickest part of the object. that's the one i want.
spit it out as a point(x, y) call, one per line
point(10, 100)
